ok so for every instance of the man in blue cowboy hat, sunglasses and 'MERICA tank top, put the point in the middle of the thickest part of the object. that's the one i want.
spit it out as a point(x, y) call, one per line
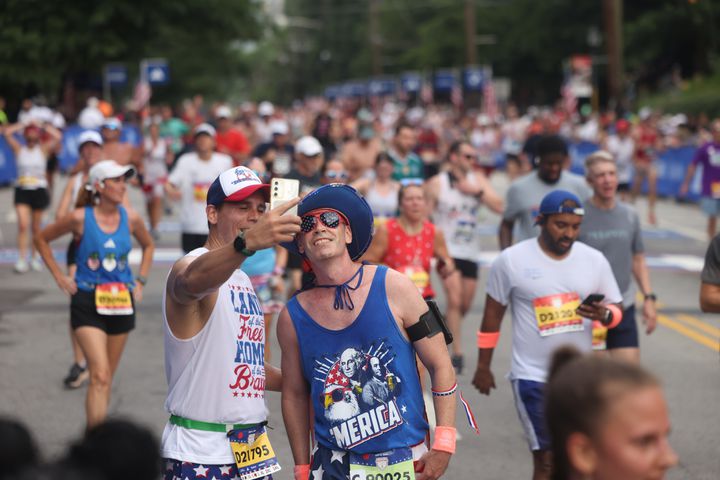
point(347, 352)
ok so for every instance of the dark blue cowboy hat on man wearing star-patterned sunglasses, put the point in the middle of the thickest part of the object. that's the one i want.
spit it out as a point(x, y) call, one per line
point(346, 200)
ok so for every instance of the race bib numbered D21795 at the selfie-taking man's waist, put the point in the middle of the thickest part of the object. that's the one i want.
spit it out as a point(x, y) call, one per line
point(254, 456)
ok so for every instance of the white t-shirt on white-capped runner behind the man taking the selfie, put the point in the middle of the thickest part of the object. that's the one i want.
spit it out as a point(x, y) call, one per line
point(193, 177)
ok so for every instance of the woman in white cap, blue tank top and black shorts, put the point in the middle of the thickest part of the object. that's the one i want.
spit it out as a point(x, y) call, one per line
point(103, 292)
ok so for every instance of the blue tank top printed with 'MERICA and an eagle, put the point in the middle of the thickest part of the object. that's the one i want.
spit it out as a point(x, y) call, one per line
point(363, 379)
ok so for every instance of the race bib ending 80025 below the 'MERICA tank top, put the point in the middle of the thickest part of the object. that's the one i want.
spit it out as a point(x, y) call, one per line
point(395, 464)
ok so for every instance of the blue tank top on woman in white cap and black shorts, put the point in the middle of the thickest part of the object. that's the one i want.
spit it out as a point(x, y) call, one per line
point(103, 257)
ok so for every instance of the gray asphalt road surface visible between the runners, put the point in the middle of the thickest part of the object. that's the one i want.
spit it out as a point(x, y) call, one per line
point(683, 352)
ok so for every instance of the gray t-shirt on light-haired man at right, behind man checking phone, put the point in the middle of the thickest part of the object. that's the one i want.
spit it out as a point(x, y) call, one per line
point(616, 233)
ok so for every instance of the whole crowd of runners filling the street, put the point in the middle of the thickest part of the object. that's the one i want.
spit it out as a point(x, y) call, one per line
point(388, 194)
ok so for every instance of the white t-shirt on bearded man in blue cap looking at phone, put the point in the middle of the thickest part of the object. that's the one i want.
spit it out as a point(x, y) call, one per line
point(544, 294)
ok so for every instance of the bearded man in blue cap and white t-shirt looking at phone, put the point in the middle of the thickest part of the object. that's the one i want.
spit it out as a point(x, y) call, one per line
point(553, 285)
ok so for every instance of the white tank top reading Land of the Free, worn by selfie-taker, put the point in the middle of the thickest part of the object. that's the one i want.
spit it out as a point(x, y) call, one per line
point(218, 375)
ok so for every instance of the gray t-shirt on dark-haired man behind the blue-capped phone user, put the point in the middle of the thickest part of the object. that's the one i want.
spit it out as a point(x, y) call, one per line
point(524, 197)
